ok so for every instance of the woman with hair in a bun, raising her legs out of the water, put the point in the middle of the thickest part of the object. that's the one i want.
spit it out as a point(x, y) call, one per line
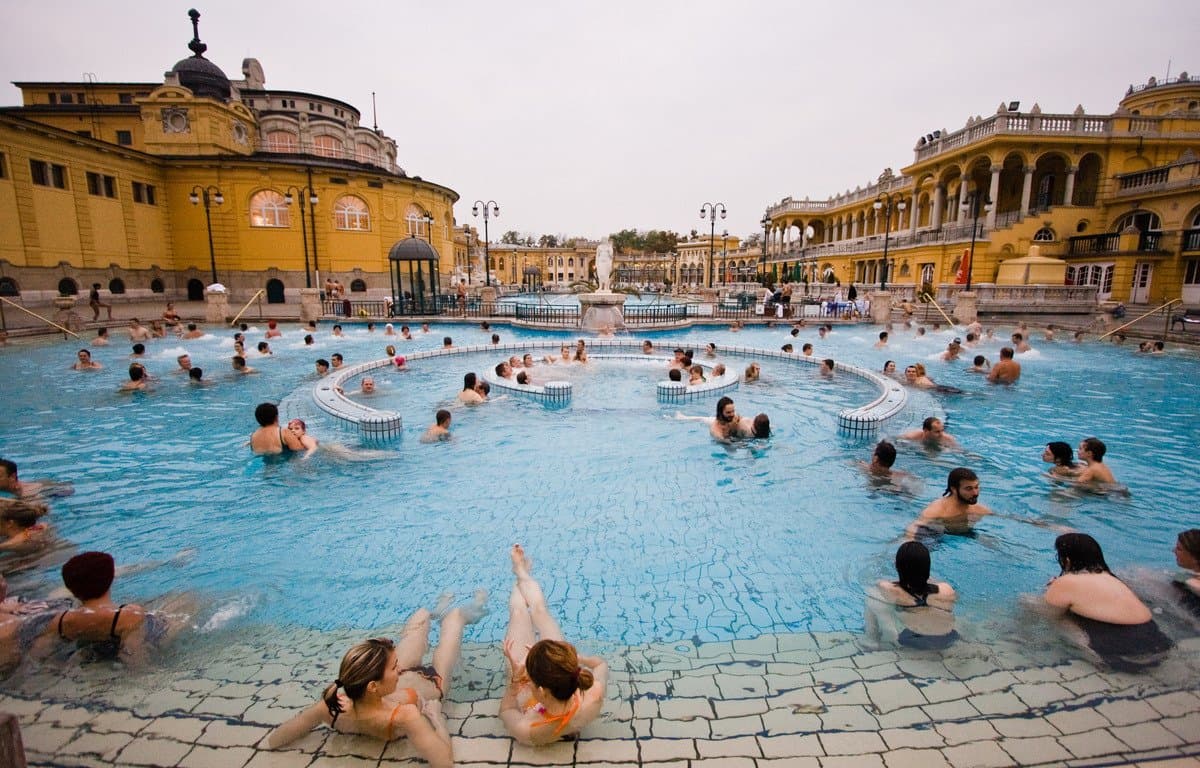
point(554, 693)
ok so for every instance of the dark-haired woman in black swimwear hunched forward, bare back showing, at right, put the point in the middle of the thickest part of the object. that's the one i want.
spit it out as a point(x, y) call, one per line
point(1115, 623)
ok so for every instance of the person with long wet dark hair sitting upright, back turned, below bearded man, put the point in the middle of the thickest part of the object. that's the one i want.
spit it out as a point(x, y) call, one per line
point(916, 613)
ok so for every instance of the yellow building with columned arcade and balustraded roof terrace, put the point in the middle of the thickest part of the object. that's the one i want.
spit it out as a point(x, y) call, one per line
point(1115, 200)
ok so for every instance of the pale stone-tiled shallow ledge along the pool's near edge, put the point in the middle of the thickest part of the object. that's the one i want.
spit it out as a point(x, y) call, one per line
point(779, 701)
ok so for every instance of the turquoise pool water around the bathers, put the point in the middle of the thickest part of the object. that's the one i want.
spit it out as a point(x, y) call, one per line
point(641, 527)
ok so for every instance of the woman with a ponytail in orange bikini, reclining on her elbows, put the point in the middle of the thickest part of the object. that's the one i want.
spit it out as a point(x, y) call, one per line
point(385, 692)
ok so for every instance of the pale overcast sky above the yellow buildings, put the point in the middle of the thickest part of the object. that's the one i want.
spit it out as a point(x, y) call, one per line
point(585, 118)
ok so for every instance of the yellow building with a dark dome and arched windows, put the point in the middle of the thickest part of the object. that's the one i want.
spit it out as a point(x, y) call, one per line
point(128, 184)
